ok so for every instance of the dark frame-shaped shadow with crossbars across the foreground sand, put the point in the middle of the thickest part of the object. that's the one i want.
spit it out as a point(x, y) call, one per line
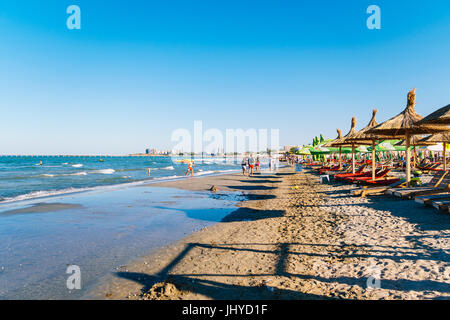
point(196, 283)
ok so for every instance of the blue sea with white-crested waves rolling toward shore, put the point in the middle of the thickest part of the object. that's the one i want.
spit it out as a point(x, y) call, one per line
point(30, 177)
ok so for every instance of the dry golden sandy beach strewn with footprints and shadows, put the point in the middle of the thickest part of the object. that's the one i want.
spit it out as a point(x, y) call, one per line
point(294, 238)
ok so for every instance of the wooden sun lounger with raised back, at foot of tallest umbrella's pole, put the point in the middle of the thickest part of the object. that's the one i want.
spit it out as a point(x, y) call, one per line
point(438, 184)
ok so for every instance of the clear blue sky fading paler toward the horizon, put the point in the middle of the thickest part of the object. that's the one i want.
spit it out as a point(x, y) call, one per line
point(137, 70)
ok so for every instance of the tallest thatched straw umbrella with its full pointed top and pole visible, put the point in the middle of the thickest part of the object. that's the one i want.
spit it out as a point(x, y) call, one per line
point(403, 125)
